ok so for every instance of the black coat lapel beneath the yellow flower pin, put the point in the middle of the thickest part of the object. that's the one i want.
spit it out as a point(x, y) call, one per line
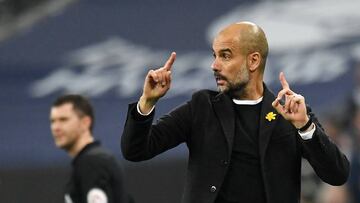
point(266, 126)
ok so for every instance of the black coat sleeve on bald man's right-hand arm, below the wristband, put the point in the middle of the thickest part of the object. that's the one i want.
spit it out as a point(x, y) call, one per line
point(329, 163)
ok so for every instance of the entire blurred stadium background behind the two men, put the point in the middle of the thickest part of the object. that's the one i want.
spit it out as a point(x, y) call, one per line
point(103, 49)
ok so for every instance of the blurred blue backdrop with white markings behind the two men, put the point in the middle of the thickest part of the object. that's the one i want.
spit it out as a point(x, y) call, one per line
point(103, 49)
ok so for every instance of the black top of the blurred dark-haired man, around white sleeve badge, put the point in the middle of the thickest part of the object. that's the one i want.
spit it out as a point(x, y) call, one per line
point(96, 167)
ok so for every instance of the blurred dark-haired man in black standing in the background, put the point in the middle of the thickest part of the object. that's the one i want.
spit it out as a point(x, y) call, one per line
point(96, 176)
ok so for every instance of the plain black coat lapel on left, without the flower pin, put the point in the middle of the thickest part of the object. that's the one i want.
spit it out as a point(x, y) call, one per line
point(224, 110)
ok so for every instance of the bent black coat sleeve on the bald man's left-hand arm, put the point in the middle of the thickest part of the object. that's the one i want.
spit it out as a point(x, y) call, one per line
point(142, 140)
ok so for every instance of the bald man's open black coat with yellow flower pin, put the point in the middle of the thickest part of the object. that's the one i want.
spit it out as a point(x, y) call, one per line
point(206, 124)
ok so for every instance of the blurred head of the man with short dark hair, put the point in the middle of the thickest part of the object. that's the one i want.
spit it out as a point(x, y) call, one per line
point(72, 119)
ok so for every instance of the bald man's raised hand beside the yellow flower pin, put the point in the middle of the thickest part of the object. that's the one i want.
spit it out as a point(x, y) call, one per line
point(294, 107)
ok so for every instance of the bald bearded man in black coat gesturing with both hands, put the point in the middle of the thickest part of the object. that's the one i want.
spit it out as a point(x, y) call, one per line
point(245, 144)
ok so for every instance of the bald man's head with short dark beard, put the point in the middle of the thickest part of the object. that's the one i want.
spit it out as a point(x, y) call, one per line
point(240, 52)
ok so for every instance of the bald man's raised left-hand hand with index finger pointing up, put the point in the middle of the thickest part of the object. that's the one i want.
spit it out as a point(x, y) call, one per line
point(157, 83)
